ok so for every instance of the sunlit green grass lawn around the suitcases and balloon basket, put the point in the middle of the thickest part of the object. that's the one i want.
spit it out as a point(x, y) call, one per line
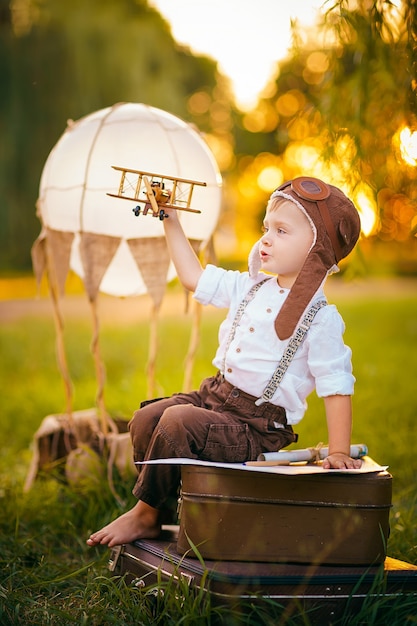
point(47, 573)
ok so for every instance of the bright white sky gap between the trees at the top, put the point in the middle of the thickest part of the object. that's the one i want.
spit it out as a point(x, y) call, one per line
point(247, 40)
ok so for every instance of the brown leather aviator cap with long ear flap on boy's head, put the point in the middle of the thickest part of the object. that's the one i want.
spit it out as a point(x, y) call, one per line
point(336, 221)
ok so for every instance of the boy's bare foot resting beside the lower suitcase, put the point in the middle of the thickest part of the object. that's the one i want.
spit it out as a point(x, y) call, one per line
point(139, 523)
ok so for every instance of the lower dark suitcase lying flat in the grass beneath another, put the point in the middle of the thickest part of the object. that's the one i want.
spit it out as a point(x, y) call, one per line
point(326, 592)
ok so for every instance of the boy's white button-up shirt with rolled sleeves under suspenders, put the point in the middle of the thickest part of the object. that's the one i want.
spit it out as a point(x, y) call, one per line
point(322, 362)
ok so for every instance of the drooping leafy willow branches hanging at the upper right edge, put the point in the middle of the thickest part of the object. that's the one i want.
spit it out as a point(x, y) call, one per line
point(370, 94)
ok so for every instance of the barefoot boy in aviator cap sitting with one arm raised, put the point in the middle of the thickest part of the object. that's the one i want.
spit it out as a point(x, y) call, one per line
point(309, 227)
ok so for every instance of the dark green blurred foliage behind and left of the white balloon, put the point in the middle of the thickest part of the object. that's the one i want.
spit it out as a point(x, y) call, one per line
point(63, 60)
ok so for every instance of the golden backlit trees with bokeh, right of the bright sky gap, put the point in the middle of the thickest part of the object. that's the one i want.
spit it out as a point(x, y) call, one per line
point(337, 109)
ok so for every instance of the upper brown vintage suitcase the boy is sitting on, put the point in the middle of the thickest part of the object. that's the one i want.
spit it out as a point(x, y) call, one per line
point(328, 518)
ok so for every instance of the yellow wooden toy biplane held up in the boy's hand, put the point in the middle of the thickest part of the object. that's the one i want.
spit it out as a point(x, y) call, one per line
point(155, 191)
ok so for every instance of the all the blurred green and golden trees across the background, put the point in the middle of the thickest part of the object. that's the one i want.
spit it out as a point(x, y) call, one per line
point(342, 106)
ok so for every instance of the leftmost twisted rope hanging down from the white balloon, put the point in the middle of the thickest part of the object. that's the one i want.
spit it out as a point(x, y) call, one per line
point(59, 329)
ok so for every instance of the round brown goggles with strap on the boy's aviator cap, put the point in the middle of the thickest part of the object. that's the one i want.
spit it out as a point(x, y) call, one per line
point(315, 190)
